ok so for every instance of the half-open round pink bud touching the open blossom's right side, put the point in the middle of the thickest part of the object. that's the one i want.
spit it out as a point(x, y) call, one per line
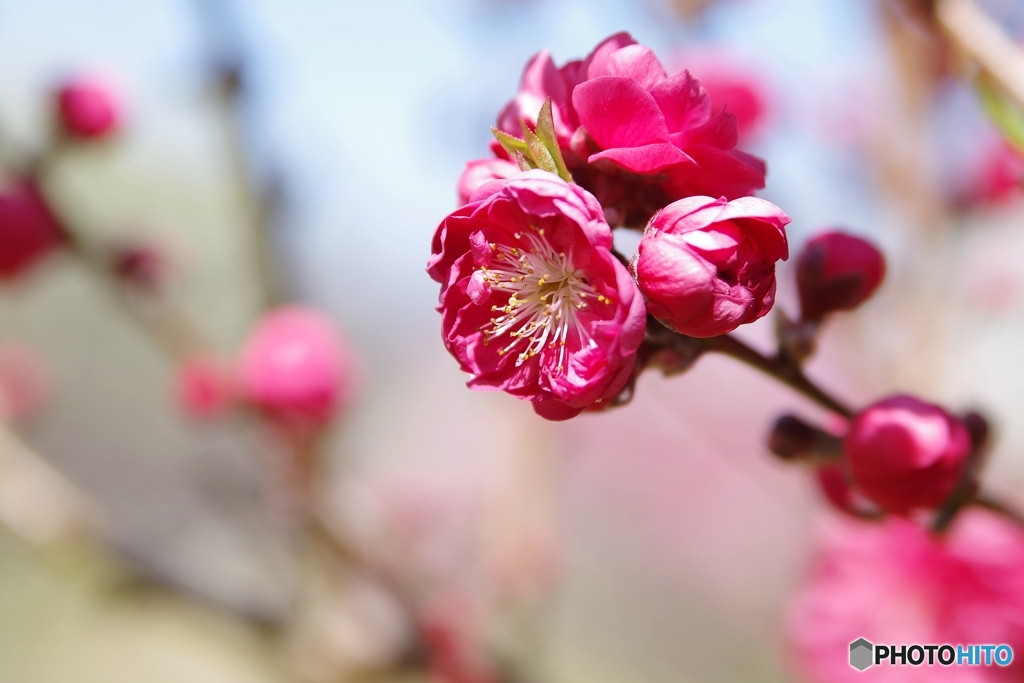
point(706, 267)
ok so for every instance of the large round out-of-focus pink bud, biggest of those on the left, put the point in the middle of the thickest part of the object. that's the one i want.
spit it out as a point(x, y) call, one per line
point(296, 367)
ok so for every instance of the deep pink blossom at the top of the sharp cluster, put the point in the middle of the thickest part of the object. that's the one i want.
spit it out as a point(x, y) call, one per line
point(633, 136)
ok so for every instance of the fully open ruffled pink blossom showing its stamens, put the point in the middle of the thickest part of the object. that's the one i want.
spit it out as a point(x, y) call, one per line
point(533, 301)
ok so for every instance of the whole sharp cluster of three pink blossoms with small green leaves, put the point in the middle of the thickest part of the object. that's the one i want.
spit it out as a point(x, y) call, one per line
point(535, 300)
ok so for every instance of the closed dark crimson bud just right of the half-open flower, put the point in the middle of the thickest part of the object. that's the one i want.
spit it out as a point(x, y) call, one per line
point(837, 272)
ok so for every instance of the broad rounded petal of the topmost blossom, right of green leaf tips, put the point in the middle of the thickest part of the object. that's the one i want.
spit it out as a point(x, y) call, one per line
point(618, 113)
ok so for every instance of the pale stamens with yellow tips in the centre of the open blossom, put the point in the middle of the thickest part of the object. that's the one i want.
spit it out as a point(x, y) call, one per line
point(547, 294)
